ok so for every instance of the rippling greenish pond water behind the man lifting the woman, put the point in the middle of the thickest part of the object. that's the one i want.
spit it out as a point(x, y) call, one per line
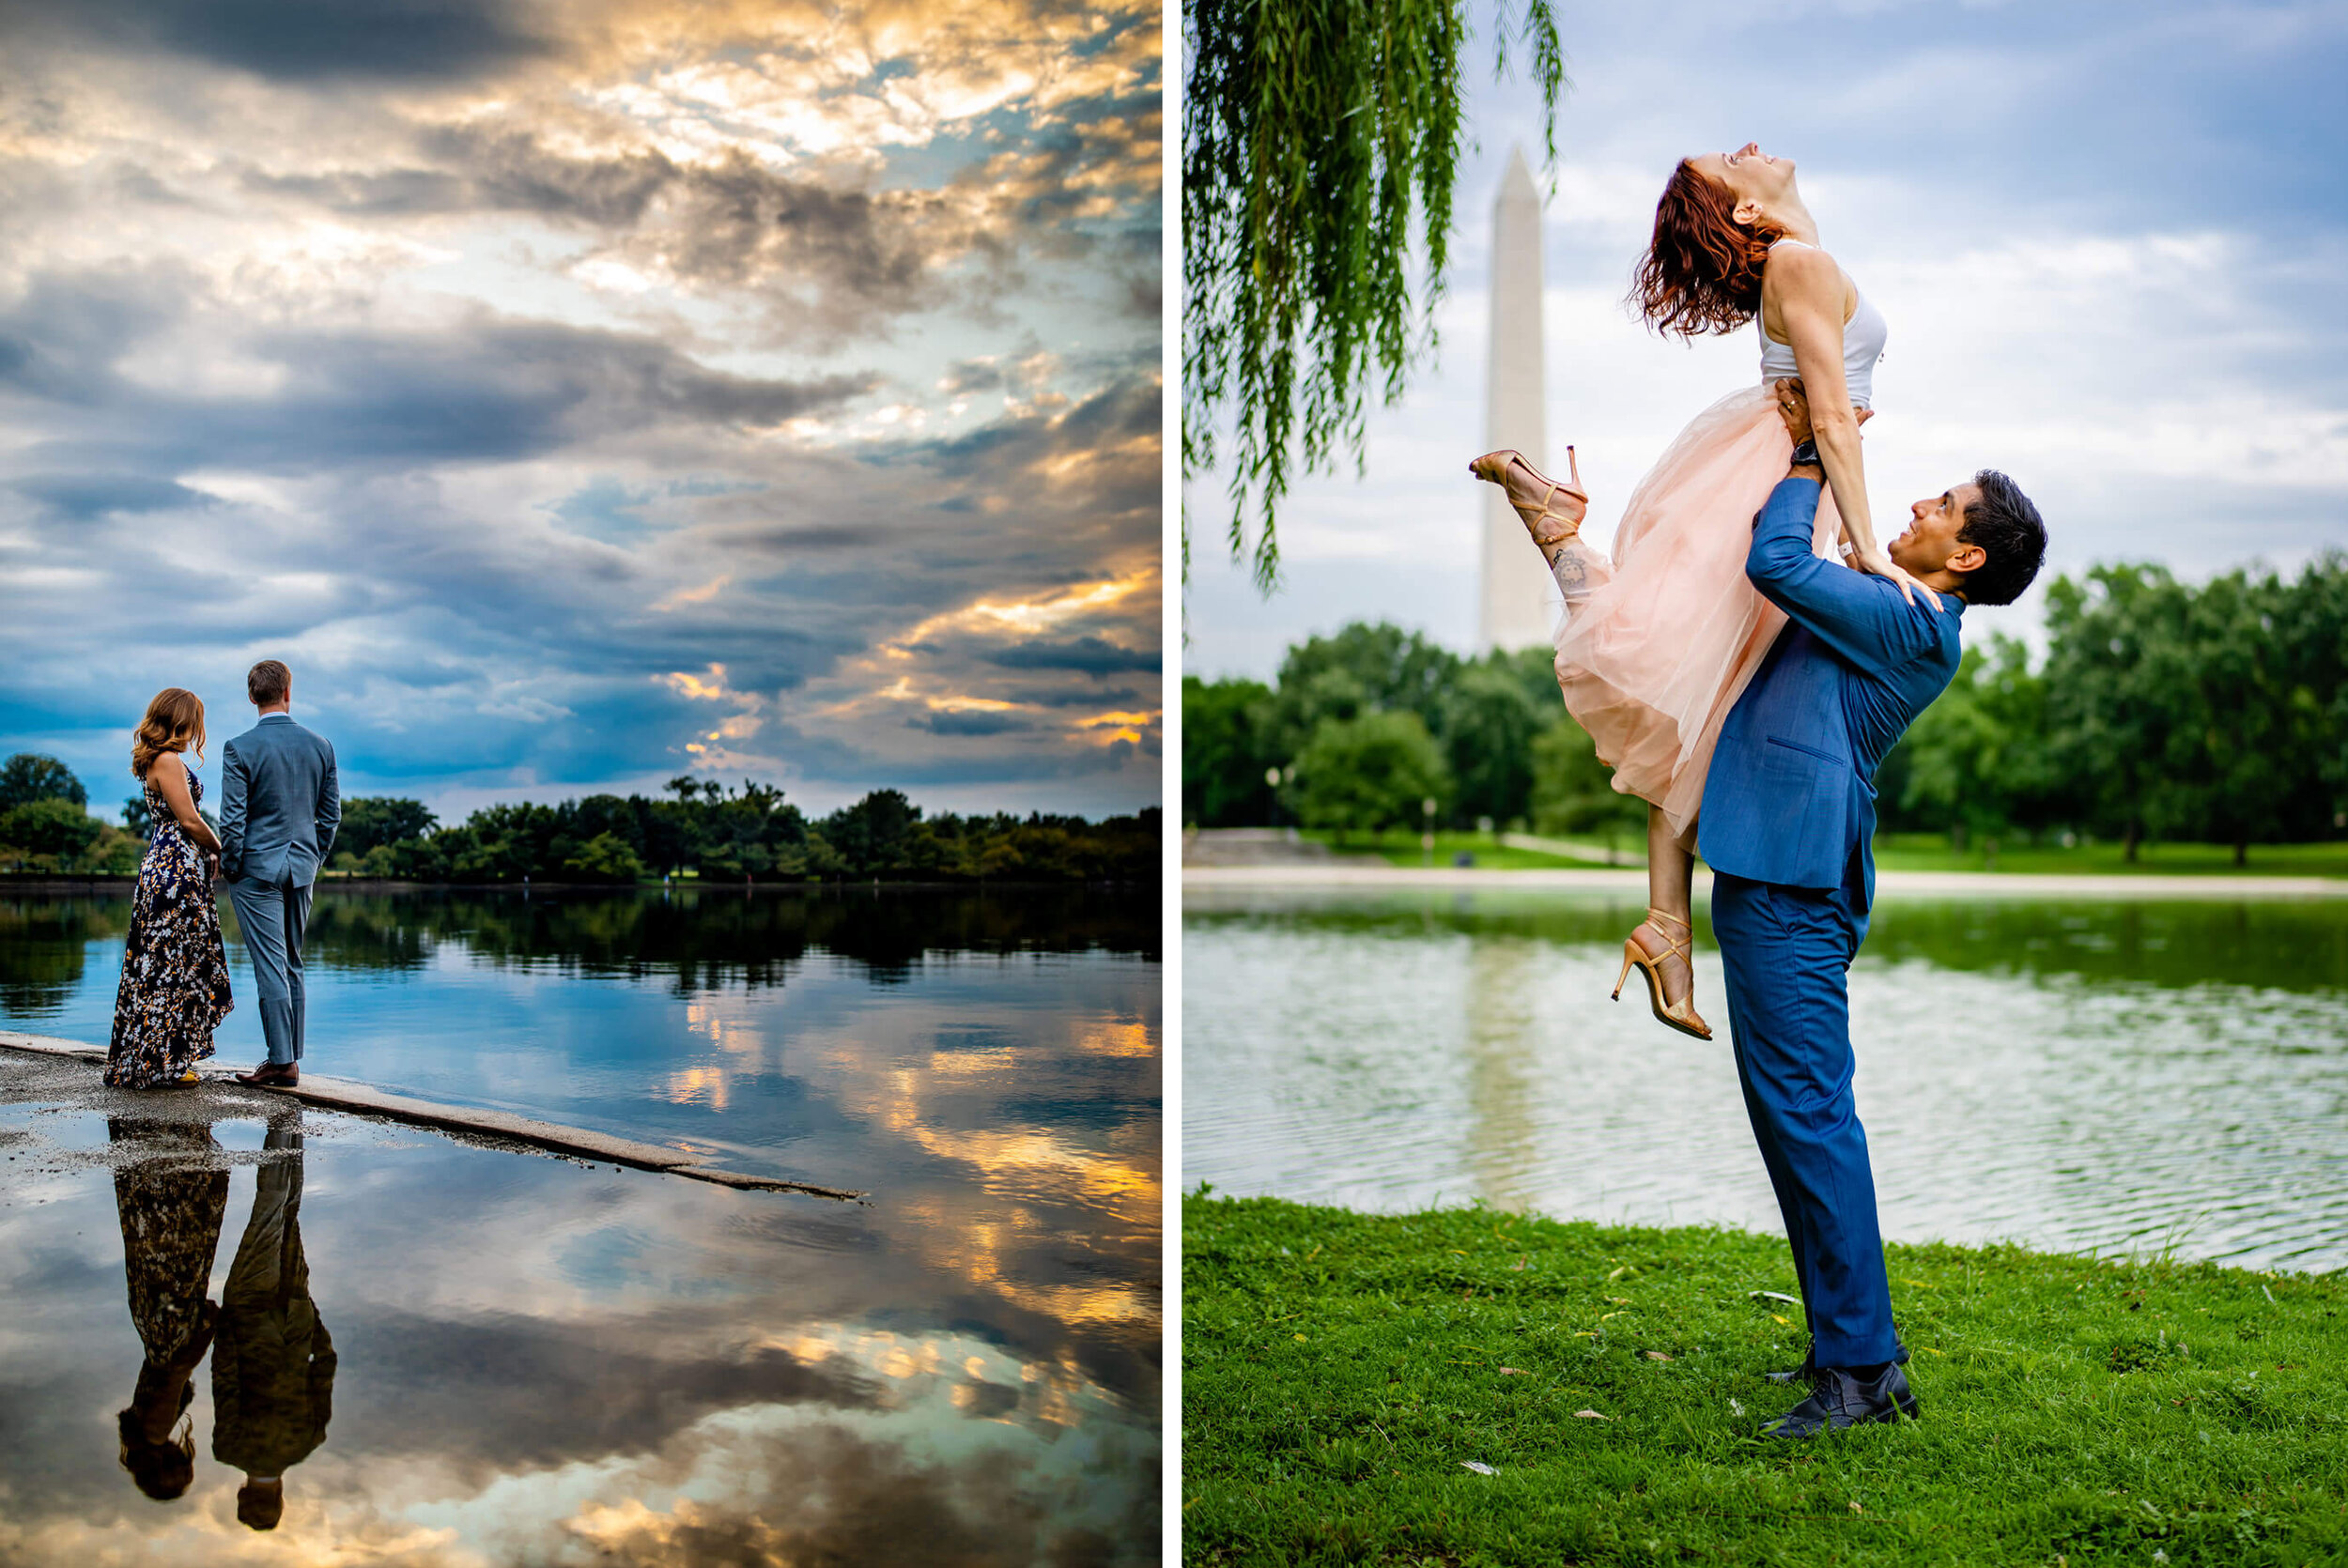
point(2074, 1076)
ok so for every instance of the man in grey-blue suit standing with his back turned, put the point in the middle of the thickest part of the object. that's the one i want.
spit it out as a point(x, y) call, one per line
point(278, 816)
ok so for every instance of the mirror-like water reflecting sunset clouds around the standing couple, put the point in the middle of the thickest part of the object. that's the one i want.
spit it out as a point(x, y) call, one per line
point(546, 1363)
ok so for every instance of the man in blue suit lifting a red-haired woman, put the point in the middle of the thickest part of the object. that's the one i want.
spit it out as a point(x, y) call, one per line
point(1788, 818)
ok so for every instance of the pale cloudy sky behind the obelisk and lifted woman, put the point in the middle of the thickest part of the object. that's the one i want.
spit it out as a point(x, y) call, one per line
point(2110, 238)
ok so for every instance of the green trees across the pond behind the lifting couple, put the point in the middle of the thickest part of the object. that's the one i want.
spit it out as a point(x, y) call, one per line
point(2159, 712)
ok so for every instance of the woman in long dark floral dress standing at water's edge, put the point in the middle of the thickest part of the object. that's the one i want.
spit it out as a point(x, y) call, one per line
point(175, 971)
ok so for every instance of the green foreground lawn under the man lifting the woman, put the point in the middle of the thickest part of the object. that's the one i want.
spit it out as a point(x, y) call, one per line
point(1342, 1372)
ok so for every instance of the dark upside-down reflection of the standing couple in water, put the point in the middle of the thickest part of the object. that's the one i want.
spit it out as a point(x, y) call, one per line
point(271, 1358)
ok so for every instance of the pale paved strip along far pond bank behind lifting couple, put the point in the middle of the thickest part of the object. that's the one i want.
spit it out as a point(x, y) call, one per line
point(1889, 884)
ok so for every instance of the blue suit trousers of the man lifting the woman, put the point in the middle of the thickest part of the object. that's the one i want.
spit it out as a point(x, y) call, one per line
point(1788, 954)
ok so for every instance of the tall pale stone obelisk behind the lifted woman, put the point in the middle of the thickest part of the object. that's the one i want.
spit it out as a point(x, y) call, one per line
point(1518, 602)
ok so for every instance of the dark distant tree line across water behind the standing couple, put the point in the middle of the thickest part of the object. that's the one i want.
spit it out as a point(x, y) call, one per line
point(706, 830)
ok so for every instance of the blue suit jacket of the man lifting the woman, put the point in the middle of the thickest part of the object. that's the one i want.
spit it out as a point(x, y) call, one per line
point(1793, 788)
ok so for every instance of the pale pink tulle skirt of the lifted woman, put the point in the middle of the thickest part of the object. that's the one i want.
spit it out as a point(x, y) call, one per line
point(1671, 630)
